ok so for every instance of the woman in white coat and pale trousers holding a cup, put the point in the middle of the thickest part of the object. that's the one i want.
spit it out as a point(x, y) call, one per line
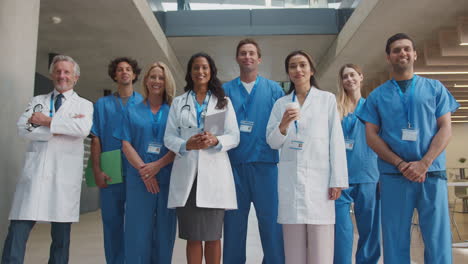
point(305, 125)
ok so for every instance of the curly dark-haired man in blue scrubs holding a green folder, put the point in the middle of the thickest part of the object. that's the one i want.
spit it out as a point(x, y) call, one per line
point(108, 113)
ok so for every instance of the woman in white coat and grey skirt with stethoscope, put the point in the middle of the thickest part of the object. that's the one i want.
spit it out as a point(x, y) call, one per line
point(202, 184)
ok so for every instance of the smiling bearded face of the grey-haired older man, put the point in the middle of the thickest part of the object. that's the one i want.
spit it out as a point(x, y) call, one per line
point(63, 76)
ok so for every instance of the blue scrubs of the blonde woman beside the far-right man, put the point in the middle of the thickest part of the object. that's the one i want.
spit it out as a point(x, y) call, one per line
point(363, 178)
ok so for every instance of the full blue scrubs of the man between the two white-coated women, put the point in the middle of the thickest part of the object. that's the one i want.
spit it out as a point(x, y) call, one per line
point(254, 166)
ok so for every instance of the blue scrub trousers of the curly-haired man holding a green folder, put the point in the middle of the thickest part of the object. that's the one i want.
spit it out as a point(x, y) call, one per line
point(113, 210)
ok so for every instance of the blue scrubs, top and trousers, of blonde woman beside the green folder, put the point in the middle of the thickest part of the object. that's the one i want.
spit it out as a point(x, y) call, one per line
point(150, 227)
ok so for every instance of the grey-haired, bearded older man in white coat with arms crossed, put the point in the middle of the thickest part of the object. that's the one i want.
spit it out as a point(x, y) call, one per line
point(50, 184)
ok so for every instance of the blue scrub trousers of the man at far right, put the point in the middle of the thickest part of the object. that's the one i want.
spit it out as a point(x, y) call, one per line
point(400, 197)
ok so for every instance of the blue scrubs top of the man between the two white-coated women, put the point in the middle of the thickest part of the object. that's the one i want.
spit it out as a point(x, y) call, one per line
point(254, 107)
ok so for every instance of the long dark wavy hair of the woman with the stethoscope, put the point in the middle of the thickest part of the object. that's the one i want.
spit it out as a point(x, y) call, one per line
point(214, 84)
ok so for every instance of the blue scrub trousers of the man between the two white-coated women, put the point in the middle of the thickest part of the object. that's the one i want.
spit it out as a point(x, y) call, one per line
point(257, 183)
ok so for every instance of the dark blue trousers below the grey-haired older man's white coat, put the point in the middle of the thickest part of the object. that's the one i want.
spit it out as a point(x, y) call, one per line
point(18, 234)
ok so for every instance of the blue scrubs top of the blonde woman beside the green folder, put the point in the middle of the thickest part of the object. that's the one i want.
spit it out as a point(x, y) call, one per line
point(141, 127)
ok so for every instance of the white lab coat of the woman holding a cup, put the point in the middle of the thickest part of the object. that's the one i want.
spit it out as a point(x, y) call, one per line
point(305, 176)
